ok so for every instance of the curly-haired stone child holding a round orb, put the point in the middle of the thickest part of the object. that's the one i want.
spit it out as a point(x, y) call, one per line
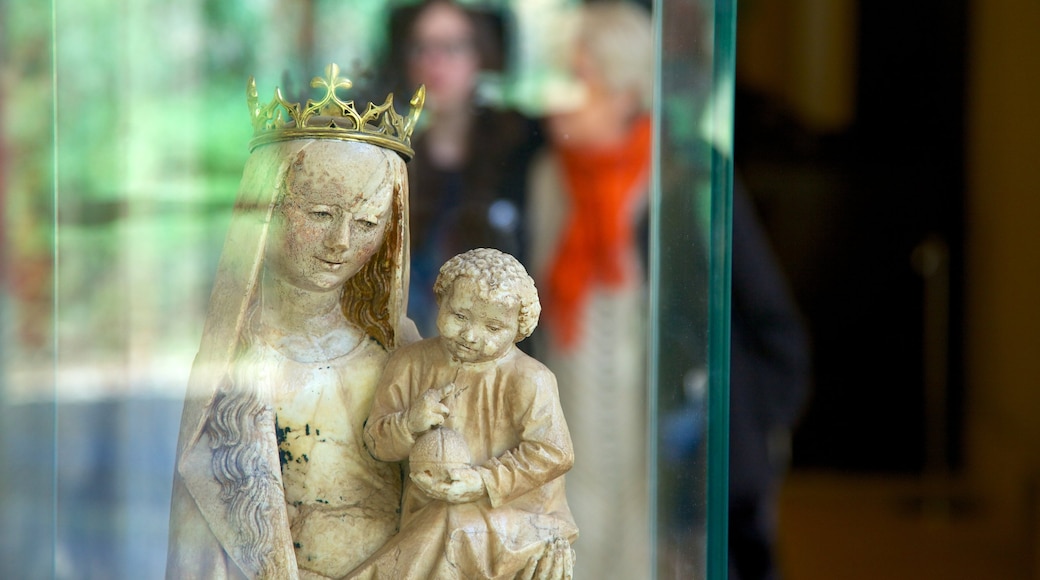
point(472, 394)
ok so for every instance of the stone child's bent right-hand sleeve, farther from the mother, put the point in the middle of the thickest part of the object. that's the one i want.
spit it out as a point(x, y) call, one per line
point(545, 452)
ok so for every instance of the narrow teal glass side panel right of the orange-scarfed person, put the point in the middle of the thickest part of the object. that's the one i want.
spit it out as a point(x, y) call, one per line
point(689, 307)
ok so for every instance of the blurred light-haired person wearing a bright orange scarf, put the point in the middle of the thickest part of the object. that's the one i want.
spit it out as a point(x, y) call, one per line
point(587, 215)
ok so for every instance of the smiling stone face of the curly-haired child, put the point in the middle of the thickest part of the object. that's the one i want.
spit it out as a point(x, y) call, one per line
point(475, 330)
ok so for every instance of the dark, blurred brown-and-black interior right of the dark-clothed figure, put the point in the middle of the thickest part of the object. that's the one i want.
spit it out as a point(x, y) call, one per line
point(873, 138)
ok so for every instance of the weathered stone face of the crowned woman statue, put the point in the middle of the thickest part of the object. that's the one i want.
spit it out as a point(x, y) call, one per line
point(333, 217)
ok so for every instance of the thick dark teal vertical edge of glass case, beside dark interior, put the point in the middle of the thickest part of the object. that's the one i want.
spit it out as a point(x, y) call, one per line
point(719, 299)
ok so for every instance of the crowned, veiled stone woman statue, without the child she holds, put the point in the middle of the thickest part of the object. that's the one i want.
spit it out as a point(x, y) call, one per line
point(273, 479)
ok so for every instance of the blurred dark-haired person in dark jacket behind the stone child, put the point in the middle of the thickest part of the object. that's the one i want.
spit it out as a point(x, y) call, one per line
point(470, 174)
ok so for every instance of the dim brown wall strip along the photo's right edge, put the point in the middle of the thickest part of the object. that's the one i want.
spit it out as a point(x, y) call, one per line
point(1004, 261)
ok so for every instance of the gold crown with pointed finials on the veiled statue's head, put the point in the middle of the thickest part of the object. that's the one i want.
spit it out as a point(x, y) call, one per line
point(333, 119)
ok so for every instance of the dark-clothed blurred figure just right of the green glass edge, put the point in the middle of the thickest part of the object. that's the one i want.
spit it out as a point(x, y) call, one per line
point(769, 384)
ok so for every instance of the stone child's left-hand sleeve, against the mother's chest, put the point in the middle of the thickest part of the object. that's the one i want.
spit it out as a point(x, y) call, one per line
point(387, 436)
